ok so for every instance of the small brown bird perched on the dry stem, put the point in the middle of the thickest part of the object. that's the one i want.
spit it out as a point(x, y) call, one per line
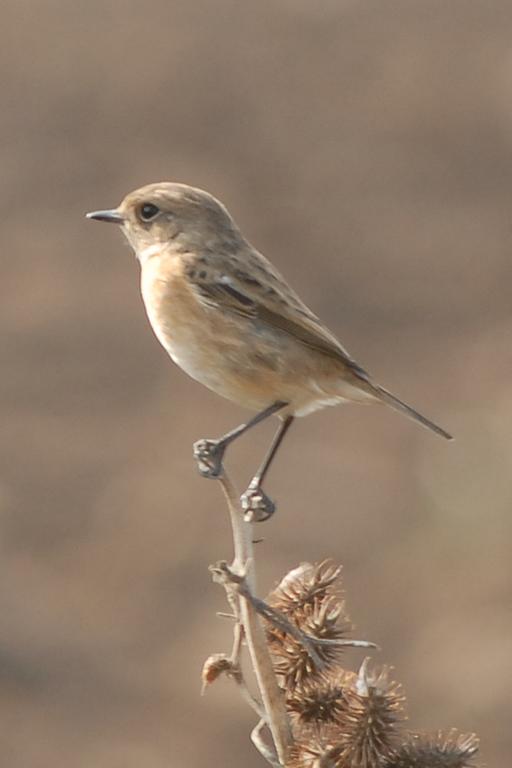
point(229, 319)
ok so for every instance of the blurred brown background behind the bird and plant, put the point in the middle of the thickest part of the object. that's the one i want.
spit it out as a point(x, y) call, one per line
point(366, 147)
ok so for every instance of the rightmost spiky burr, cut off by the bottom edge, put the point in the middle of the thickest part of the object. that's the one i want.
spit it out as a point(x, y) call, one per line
point(442, 750)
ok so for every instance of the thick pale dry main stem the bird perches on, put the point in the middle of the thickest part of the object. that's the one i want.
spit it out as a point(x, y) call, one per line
point(273, 700)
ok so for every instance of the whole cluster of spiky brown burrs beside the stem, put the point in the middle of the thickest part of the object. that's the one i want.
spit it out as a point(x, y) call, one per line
point(341, 718)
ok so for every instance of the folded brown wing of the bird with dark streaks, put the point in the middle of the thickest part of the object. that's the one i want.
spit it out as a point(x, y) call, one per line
point(263, 294)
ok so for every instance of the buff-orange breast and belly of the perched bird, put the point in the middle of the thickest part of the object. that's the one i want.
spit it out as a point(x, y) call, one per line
point(225, 352)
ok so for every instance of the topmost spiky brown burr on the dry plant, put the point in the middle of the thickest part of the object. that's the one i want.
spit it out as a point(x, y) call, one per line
point(306, 585)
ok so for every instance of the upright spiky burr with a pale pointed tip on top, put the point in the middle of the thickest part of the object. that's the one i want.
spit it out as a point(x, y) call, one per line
point(372, 718)
